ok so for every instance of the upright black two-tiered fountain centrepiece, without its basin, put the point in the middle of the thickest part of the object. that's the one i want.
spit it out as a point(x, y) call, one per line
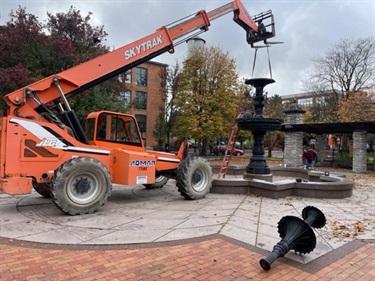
point(259, 126)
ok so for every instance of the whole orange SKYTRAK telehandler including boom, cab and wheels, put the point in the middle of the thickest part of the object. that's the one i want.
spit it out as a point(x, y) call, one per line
point(43, 146)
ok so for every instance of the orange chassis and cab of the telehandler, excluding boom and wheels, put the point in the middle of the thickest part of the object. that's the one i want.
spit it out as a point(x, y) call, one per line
point(35, 149)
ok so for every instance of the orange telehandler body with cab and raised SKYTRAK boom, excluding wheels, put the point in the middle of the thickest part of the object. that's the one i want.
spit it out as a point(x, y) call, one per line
point(41, 132)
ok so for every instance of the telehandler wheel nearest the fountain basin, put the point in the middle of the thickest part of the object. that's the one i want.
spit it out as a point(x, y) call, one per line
point(194, 178)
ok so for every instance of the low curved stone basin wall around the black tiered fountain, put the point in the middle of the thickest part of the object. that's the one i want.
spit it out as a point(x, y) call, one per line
point(313, 184)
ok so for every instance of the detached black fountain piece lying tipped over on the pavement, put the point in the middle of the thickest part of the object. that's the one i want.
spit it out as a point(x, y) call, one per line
point(296, 234)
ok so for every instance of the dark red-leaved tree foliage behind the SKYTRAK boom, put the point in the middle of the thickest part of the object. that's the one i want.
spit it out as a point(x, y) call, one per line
point(32, 50)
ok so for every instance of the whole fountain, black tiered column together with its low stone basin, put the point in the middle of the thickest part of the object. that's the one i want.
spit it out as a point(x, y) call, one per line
point(257, 178)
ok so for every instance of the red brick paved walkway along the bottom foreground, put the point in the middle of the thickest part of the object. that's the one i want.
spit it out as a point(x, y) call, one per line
point(208, 258)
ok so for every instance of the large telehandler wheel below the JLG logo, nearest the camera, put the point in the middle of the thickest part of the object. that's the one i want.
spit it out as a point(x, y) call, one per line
point(81, 186)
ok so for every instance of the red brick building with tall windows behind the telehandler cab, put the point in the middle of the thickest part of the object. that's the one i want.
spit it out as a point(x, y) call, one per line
point(143, 94)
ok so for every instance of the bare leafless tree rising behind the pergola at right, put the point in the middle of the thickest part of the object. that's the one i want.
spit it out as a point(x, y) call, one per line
point(347, 68)
